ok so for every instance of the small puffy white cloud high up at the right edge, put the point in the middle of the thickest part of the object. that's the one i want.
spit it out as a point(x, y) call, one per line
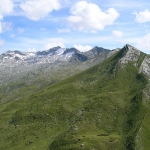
point(143, 16)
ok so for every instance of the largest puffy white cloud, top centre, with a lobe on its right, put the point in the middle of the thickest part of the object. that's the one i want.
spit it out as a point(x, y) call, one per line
point(87, 16)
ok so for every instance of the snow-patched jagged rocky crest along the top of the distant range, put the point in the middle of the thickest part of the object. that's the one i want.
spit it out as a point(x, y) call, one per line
point(49, 56)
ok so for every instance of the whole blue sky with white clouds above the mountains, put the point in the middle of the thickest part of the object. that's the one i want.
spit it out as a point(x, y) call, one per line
point(36, 25)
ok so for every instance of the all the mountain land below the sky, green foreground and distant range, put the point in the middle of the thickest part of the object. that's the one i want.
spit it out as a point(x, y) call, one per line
point(64, 99)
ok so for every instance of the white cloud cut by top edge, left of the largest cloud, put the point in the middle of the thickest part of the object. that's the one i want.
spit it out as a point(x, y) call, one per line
point(38, 9)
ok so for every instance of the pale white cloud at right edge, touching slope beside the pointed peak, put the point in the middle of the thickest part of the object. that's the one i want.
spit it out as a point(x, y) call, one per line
point(144, 43)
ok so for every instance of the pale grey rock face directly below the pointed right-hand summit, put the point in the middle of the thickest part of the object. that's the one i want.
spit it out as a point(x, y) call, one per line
point(132, 55)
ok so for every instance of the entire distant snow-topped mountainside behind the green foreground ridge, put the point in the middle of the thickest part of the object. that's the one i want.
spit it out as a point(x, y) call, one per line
point(31, 72)
